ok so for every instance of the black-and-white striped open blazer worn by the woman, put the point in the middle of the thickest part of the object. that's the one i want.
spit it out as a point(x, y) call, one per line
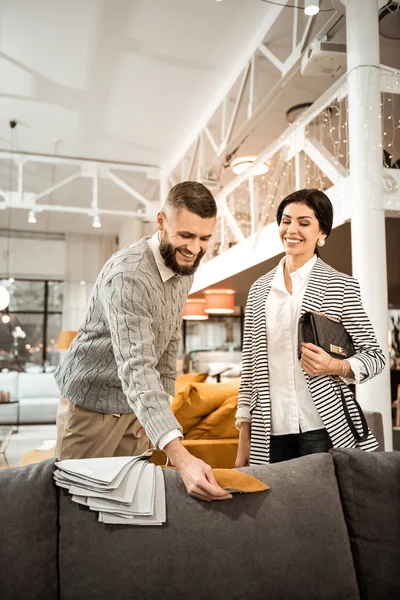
point(337, 295)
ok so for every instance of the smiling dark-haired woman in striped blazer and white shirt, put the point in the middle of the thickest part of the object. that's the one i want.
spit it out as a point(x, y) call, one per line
point(289, 407)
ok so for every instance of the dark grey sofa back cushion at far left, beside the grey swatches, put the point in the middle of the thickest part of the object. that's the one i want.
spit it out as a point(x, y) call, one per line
point(28, 533)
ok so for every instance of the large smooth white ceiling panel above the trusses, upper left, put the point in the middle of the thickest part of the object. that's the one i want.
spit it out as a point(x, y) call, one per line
point(121, 80)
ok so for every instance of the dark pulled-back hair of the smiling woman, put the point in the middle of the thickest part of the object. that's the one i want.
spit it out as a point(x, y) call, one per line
point(317, 201)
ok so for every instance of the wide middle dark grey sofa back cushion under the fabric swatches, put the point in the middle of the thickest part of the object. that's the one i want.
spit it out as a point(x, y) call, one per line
point(288, 542)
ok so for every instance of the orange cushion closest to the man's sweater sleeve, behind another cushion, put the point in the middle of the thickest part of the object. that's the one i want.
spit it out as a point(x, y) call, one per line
point(197, 400)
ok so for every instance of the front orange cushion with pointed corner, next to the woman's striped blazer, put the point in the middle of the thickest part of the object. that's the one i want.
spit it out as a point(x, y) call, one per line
point(218, 424)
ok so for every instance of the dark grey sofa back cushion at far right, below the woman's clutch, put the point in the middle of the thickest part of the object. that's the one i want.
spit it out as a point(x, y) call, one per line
point(369, 484)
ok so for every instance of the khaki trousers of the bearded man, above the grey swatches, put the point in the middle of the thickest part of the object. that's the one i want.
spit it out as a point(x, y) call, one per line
point(83, 433)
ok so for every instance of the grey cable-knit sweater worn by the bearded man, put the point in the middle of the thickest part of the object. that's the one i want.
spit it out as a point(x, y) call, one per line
point(124, 357)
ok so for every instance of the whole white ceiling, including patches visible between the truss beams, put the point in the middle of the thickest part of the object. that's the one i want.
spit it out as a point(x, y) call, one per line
point(123, 80)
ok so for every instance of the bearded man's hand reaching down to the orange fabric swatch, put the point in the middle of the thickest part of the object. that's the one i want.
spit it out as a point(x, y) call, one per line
point(197, 476)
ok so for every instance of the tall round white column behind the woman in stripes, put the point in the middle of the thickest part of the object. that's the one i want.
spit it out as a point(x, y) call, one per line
point(367, 214)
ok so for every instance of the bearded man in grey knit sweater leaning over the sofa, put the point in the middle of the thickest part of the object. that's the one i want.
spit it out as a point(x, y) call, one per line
point(117, 379)
